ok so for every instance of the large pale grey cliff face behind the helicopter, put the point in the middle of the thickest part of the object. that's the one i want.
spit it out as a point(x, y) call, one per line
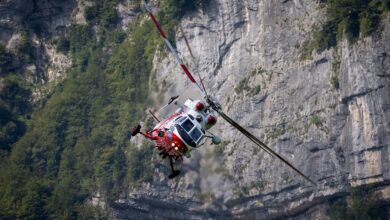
point(328, 115)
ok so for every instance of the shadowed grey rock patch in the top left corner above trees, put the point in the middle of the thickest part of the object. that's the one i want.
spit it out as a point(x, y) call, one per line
point(36, 21)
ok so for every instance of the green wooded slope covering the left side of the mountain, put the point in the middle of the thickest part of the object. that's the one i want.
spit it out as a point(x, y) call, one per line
point(77, 144)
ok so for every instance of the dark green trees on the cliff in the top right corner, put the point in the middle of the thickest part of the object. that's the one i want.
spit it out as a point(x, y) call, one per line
point(349, 18)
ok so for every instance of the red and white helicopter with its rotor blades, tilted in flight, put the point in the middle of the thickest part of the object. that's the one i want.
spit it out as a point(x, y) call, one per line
point(184, 130)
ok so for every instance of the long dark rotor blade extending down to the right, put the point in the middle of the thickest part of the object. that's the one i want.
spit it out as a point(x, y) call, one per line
point(260, 143)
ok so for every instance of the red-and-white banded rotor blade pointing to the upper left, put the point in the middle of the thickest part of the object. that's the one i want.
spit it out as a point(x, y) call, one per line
point(172, 49)
